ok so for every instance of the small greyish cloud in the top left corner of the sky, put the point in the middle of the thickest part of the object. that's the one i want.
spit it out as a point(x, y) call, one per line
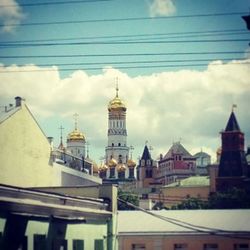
point(10, 14)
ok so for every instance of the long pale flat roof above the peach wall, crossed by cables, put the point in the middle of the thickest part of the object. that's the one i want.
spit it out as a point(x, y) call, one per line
point(138, 222)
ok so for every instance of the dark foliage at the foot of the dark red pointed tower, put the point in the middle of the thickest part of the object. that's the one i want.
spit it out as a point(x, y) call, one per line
point(230, 199)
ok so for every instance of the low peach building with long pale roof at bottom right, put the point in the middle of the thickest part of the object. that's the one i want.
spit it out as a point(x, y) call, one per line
point(184, 230)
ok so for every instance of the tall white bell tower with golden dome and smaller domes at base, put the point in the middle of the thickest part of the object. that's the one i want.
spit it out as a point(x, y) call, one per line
point(117, 165)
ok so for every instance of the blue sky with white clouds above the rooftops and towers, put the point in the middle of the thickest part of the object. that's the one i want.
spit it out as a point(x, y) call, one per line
point(180, 64)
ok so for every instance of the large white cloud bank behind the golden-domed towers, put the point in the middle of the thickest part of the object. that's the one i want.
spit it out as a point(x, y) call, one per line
point(162, 108)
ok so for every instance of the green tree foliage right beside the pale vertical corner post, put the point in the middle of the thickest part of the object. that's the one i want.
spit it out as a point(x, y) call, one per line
point(128, 197)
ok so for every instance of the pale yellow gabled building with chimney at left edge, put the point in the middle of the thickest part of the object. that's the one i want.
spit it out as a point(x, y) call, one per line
point(26, 153)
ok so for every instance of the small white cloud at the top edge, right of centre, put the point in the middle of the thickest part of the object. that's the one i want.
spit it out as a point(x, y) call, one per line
point(161, 8)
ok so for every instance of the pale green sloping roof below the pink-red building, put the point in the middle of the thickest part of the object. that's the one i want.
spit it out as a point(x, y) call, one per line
point(193, 181)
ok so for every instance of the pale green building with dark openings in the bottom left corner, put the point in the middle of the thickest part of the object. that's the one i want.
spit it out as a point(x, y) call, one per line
point(62, 218)
